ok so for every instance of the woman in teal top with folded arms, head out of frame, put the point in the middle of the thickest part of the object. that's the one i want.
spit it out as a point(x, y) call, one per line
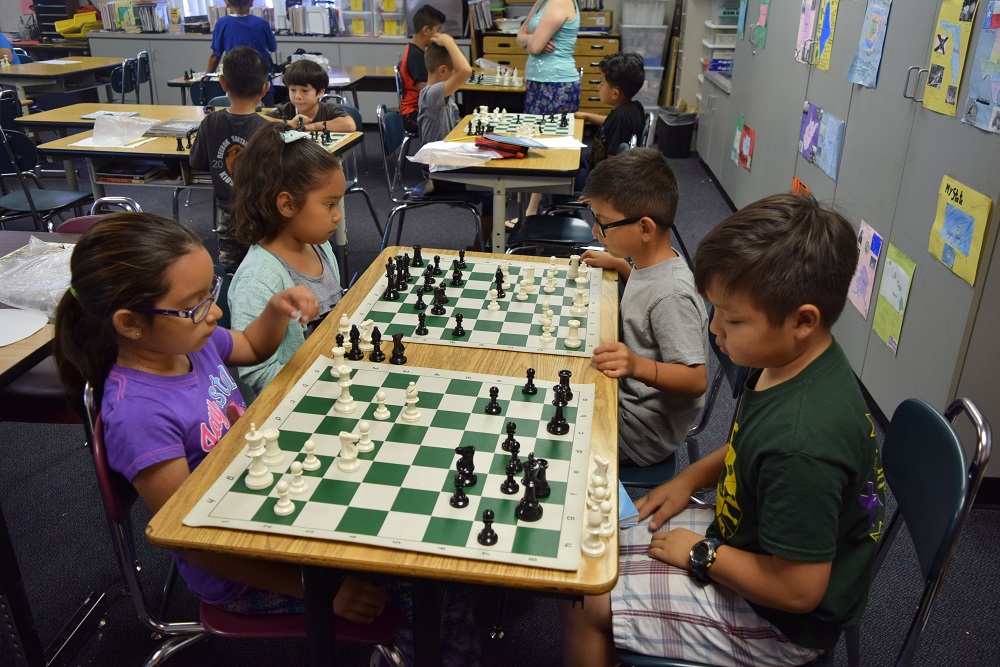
point(552, 82)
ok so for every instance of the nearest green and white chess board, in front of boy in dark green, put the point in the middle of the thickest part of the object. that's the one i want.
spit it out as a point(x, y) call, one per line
point(399, 497)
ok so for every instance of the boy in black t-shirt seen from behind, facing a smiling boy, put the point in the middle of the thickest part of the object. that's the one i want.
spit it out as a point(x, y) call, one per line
point(224, 133)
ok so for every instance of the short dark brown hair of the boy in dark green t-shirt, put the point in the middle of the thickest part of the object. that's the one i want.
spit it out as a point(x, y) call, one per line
point(782, 252)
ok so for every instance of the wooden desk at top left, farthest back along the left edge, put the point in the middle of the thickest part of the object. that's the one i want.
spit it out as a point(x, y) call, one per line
point(40, 77)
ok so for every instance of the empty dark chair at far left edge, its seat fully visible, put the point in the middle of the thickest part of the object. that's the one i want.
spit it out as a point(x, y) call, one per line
point(20, 158)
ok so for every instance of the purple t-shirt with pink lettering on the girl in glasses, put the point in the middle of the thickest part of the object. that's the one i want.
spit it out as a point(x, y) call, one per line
point(149, 419)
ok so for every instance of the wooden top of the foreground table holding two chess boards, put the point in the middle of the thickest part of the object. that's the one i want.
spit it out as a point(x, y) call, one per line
point(595, 575)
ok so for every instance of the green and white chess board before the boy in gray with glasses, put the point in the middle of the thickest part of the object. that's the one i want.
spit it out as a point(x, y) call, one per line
point(516, 326)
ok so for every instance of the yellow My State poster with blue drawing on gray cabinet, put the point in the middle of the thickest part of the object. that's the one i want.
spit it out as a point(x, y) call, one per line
point(959, 227)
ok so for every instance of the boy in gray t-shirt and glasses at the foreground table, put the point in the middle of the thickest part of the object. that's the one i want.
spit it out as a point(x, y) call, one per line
point(661, 362)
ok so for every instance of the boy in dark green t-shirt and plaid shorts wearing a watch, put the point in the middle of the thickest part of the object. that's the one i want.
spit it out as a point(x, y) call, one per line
point(782, 565)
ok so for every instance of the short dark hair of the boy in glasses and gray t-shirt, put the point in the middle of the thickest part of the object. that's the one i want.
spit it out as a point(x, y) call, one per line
point(636, 182)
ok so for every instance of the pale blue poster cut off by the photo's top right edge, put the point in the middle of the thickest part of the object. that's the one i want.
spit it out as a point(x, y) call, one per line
point(982, 109)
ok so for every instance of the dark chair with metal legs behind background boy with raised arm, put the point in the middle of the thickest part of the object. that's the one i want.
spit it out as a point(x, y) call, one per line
point(391, 135)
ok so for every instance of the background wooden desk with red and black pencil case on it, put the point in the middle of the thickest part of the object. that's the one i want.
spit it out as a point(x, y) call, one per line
point(549, 170)
